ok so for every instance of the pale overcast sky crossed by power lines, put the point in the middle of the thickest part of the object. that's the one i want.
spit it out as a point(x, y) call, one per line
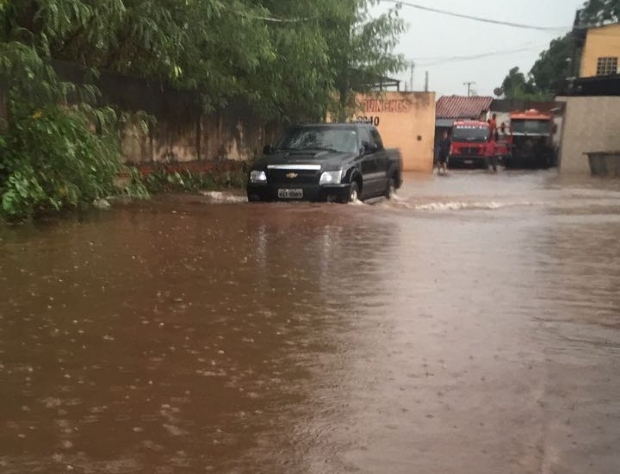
point(432, 39)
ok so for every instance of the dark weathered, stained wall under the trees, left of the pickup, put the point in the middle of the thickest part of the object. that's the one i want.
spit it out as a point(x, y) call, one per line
point(182, 132)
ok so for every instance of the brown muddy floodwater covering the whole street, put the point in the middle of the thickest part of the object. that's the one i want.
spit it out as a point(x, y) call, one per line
point(471, 326)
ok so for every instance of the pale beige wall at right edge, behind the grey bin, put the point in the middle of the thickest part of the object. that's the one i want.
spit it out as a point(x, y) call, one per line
point(590, 124)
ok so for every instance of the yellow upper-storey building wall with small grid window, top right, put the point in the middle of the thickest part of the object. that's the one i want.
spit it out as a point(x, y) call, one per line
point(601, 51)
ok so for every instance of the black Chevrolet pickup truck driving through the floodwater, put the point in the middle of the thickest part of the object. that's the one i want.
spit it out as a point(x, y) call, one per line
point(326, 162)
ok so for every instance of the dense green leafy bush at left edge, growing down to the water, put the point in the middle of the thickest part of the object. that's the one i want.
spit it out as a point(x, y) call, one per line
point(58, 152)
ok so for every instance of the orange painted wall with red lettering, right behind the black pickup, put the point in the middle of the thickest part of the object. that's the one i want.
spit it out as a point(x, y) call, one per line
point(406, 120)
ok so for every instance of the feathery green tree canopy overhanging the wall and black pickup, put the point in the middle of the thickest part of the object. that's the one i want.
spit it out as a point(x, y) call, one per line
point(288, 59)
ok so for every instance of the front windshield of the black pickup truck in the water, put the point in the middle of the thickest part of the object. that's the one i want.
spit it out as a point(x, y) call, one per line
point(342, 140)
